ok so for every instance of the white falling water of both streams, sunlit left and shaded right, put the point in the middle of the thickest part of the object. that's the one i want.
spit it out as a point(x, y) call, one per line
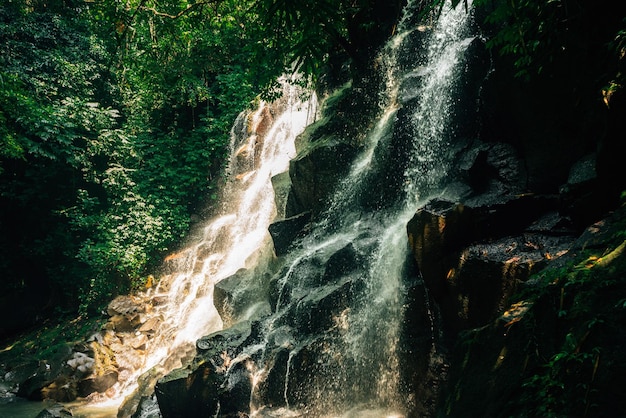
point(354, 341)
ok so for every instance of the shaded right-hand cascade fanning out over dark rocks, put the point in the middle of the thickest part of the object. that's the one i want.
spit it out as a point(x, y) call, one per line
point(331, 344)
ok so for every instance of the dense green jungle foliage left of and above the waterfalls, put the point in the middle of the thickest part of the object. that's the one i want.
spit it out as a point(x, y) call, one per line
point(115, 118)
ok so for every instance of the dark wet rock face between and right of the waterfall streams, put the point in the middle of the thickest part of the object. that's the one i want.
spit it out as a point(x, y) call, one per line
point(507, 211)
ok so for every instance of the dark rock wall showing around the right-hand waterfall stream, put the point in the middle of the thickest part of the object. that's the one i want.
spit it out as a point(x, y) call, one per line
point(529, 174)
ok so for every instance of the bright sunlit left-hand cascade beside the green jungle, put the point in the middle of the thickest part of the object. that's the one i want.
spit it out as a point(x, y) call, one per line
point(180, 308)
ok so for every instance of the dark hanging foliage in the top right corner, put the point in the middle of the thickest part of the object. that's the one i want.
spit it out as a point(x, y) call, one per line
point(541, 35)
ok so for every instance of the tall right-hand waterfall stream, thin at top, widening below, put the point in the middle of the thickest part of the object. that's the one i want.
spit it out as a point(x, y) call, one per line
point(365, 369)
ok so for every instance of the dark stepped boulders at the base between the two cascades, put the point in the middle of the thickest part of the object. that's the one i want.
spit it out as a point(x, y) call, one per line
point(222, 374)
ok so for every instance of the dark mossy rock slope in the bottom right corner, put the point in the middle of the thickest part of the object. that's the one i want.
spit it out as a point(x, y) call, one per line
point(566, 314)
